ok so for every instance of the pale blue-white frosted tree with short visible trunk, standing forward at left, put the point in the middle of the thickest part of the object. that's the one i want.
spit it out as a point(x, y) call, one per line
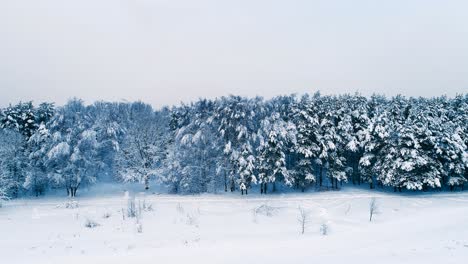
point(71, 149)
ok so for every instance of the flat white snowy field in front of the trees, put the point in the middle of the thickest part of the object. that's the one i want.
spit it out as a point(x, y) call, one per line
point(229, 228)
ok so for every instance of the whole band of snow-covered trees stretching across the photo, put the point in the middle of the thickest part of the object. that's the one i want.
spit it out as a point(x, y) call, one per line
point(237, 143)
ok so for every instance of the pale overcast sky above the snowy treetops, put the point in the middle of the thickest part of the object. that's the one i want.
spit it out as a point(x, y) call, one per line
point(167, 51)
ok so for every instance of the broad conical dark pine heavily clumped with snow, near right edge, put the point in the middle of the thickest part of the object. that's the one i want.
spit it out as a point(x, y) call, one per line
point(407, 160)
